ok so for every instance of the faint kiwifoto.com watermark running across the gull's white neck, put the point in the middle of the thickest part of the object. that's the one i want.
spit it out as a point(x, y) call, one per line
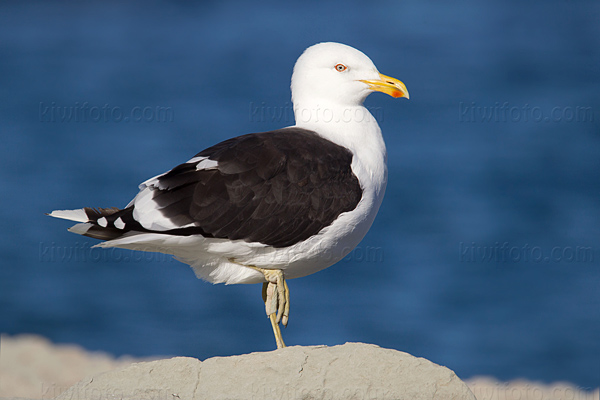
point(262, 112)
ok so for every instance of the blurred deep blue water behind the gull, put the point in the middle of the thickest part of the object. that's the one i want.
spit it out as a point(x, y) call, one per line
point(484, 257)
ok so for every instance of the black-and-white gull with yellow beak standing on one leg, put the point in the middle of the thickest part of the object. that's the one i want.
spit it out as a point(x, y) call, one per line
point(270, 206)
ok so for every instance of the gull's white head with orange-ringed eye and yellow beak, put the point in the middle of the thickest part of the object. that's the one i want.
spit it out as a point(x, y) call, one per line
point(334, 73)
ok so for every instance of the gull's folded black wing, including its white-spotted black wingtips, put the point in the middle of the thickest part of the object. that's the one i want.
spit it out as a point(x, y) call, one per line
point(276, 188)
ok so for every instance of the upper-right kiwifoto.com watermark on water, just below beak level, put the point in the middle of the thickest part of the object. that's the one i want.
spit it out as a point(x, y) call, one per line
point(507, 112)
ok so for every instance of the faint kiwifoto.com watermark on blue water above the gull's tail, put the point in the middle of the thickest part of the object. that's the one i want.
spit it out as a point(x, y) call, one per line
point(86, 112)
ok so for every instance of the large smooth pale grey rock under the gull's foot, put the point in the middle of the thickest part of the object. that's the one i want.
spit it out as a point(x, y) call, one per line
point(349, 371)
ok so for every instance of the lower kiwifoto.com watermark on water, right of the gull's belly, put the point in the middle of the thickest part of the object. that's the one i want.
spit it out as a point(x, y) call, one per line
point(506, 252)
